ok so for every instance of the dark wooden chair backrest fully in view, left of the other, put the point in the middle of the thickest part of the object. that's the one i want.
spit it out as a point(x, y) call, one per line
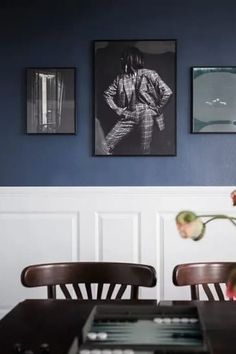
point(112, 275)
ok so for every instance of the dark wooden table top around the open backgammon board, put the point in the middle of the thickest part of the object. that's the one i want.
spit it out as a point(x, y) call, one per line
point(50, 326)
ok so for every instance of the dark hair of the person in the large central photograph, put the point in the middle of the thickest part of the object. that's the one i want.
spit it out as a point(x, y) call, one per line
point(131, 60)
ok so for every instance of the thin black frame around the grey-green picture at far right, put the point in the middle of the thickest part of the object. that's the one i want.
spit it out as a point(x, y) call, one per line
point(217, 68)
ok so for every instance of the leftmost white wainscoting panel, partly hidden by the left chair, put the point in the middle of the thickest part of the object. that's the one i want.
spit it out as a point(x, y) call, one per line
point(28, 238)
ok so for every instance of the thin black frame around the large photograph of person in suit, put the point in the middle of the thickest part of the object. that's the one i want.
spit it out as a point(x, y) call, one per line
point(174, 96)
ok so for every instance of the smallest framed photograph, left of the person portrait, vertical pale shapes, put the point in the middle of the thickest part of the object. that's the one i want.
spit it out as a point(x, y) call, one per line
point(50, 101)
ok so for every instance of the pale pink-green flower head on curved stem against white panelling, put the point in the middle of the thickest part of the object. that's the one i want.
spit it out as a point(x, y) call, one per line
point(190, 225)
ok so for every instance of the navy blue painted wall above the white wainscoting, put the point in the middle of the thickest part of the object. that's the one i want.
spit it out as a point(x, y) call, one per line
point(59, 33)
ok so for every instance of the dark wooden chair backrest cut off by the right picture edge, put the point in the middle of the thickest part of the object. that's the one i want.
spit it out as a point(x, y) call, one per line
point(209, 276)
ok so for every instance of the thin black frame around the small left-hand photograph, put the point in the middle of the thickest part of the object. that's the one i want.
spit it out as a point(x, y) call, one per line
point(74, 117)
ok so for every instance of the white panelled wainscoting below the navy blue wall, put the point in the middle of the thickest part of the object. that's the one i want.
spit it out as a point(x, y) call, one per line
point(126, 224)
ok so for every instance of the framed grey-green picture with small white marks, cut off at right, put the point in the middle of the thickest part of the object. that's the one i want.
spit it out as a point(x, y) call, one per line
point(213, 99)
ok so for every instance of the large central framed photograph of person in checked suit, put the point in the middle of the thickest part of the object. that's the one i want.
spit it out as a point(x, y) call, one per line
point(135, 97)
